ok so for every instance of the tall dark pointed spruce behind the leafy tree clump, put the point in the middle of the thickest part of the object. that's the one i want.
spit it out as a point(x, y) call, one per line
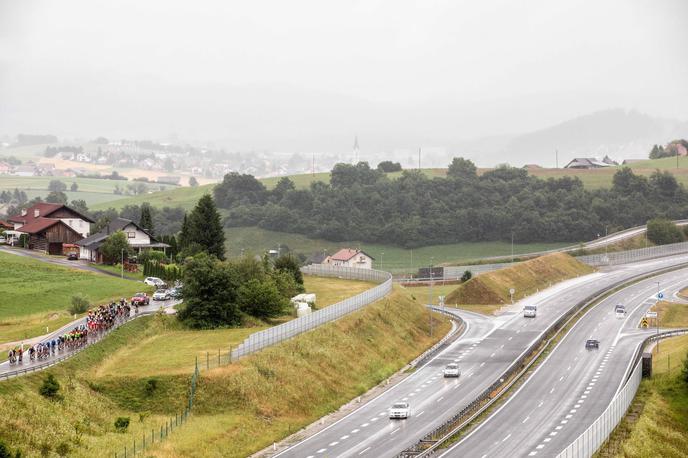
point(205, 227)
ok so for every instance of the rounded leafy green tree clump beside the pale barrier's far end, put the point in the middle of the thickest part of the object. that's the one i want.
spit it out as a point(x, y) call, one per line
point(224, 293)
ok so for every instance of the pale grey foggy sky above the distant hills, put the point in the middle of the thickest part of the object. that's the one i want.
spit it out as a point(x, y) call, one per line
point(312, 74)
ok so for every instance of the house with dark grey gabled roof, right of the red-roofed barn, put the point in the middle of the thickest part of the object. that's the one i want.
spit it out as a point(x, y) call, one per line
point(138, 238)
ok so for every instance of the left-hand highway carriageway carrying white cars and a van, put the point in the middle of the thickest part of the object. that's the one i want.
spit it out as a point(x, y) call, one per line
point(484, 352)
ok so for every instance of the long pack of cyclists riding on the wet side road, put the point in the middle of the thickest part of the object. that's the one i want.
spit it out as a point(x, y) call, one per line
point(98, 320)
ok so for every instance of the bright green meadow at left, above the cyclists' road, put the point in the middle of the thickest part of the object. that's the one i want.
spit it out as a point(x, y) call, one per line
point(36, 294)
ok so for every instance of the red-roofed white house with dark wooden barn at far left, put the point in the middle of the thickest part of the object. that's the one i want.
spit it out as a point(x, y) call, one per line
point(49, 226)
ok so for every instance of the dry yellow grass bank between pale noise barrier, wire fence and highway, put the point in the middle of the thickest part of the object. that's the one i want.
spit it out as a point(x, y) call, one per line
point(264, 397)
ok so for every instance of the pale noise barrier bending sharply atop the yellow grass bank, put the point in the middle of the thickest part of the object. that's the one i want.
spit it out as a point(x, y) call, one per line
point(282, 332)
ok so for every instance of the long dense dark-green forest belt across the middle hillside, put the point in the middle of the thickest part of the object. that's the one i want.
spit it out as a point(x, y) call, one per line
point(361, 203)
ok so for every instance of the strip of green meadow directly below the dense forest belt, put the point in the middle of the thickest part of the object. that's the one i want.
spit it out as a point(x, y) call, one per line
point(387, 257)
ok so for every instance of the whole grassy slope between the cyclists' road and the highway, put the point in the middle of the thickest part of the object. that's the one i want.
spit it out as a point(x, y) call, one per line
point(239, 408)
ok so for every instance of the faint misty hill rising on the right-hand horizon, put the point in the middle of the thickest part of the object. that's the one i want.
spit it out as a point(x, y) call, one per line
point(618, 133)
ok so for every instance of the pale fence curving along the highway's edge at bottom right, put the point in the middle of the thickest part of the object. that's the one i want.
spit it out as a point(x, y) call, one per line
point(597, 433)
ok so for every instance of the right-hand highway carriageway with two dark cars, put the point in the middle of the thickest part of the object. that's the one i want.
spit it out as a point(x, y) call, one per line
point(573, 386)
